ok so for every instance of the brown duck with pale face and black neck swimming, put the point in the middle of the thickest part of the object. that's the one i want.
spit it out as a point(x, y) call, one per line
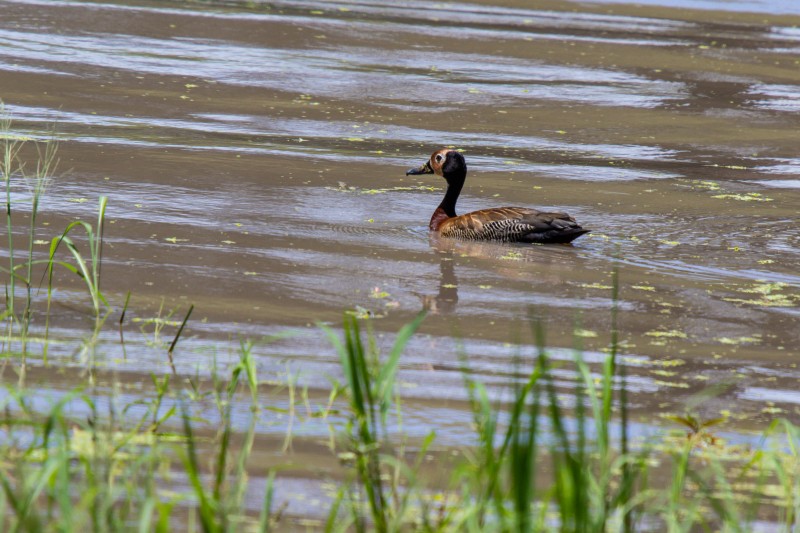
point(505, 224)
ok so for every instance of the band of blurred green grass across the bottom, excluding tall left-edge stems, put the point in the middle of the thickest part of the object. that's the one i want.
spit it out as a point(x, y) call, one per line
point(532, 465)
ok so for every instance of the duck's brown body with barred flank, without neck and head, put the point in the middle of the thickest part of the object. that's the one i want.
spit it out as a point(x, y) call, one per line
point(513, 224)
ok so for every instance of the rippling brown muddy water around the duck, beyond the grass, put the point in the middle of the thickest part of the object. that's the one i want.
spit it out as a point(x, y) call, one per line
point(254, 156)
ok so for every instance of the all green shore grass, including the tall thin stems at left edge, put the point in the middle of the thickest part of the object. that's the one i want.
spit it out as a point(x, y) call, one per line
point(187, 457)
